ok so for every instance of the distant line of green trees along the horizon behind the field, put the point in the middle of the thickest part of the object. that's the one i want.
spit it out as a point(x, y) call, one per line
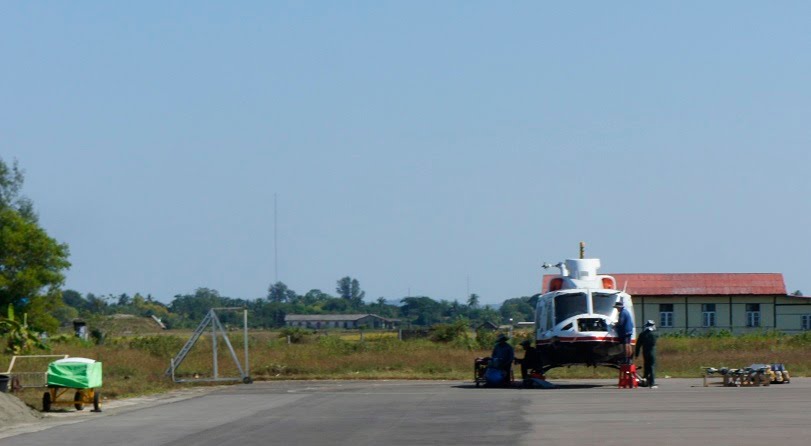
point(187, 310)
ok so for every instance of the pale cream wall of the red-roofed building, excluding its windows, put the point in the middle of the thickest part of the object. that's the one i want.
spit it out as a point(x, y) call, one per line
point(776, 312)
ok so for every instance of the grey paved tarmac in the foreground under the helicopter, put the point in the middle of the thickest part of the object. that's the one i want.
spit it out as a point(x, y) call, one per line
point(581, 412)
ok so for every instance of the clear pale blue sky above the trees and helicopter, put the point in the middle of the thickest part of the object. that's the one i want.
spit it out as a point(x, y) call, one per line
point(428, 148)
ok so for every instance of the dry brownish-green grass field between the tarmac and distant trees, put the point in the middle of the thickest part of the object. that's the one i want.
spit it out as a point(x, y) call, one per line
point(136, 365)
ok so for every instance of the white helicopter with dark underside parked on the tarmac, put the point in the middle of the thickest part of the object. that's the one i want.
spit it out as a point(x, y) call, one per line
point(575, 318)
